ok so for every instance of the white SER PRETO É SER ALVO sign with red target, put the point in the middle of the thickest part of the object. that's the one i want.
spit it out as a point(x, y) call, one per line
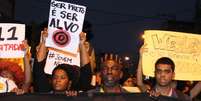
point(64, 26)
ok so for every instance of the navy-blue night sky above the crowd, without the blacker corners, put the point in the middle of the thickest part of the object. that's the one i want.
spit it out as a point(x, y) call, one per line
point(117, 24)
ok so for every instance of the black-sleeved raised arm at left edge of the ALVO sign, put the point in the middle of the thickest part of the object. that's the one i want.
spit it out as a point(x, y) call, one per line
point(40, 79)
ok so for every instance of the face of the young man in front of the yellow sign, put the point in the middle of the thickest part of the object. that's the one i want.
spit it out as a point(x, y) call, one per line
point(164, 74)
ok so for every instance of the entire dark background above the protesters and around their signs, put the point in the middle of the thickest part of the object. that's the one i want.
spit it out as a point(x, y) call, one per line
point(117, 25)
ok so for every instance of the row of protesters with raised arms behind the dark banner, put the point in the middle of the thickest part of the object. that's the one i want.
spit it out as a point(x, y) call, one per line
point(109, 78)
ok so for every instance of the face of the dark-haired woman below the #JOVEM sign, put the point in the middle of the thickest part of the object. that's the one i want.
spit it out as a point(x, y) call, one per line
point(60, 80)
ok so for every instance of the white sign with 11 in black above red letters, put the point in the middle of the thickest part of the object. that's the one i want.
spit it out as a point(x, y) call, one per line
point(11, 37)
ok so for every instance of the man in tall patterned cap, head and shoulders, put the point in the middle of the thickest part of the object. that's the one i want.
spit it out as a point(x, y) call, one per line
point(110, 73)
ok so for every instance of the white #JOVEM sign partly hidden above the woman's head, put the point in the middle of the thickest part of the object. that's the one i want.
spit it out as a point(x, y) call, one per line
point(56, 57)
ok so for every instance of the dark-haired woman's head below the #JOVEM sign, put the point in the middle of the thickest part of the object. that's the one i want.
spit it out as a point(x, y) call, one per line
point(64, 79)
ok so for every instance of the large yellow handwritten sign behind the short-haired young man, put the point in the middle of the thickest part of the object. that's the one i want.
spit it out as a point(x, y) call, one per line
point(183, 48)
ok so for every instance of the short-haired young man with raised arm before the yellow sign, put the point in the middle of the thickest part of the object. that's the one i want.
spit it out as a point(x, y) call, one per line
point(164, 74)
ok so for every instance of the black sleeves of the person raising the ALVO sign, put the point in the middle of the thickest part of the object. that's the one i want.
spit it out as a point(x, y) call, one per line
point(42, 83)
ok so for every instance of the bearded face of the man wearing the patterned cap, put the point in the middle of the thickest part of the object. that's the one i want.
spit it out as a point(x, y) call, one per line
point(111, 73)
